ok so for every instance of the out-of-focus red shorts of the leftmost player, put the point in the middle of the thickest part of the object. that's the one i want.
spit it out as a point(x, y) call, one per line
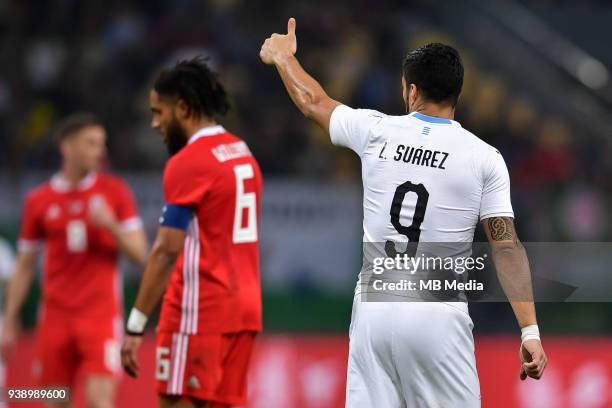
point(66, 346)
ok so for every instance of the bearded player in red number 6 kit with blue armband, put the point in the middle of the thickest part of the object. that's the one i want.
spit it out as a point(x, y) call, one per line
point(205, 256)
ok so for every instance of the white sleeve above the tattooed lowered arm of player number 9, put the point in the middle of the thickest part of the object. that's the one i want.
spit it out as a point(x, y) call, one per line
point(495, 201)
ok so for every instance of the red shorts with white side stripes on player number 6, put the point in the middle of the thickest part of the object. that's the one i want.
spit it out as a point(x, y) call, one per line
point(205, 367)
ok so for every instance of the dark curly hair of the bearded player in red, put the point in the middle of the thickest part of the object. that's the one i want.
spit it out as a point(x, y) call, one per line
point(196, 84)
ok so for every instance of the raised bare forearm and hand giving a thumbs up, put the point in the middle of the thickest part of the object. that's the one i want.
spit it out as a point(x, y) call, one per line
point(307, 94)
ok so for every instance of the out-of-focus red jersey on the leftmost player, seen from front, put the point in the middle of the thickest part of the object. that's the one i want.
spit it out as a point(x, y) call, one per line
point(80, 273)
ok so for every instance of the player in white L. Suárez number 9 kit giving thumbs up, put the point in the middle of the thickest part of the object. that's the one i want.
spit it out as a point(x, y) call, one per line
point(420, 354)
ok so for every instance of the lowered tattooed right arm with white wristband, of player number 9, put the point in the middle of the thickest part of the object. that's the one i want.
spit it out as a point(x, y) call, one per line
point(513, 271)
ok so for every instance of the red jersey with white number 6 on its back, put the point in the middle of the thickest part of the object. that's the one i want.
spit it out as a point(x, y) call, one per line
point(215, 287)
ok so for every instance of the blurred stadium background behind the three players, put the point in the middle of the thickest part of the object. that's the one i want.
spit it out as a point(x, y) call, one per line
point(538, 87)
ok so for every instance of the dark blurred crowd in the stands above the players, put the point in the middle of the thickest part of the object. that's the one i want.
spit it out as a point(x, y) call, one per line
point(61, 56)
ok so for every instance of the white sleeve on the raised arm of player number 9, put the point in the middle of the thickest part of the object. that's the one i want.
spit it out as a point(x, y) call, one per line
point(352, 128)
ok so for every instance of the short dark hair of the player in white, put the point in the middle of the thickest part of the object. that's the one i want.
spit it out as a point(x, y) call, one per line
point(436, 70)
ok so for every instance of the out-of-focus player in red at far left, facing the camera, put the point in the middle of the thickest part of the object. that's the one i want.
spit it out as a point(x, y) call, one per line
point(84, 218)
